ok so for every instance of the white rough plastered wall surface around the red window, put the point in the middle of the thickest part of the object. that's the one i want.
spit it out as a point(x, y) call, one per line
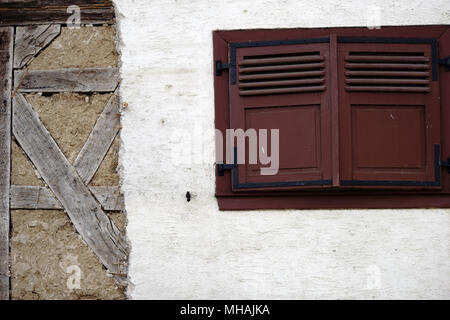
point(192, 250)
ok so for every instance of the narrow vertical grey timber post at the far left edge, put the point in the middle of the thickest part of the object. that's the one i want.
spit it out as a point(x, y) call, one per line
point(6, 58)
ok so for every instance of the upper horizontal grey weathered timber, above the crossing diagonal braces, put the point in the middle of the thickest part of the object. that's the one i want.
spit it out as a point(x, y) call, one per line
point(67, 80)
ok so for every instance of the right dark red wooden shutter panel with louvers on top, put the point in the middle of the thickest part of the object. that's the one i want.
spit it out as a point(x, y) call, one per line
point(389, 113)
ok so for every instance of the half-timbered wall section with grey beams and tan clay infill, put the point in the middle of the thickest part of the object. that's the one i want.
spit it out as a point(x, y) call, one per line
point(61, 211)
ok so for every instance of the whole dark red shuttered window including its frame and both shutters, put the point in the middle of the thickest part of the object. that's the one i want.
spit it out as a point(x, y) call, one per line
point(362, 116)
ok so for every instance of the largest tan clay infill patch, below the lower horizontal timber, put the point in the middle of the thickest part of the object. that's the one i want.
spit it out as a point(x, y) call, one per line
point(44, 244)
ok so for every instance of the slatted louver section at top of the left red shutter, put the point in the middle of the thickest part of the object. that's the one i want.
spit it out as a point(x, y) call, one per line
point(281, 73)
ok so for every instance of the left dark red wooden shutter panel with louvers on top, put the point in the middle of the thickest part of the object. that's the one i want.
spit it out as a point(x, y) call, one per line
point(283, 85)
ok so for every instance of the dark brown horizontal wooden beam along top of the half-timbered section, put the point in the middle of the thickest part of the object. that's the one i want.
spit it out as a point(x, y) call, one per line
point(28, 12)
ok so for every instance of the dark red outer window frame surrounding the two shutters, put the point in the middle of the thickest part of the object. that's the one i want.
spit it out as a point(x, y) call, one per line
point(333, 197)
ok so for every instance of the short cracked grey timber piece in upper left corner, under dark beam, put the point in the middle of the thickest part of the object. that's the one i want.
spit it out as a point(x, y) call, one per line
point(30, 40)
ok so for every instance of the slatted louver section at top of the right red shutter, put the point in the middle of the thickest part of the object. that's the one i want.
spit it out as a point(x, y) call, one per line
point(391, 72)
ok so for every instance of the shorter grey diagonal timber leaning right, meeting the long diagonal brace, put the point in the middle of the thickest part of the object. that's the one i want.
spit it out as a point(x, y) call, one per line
point(99, 141)
